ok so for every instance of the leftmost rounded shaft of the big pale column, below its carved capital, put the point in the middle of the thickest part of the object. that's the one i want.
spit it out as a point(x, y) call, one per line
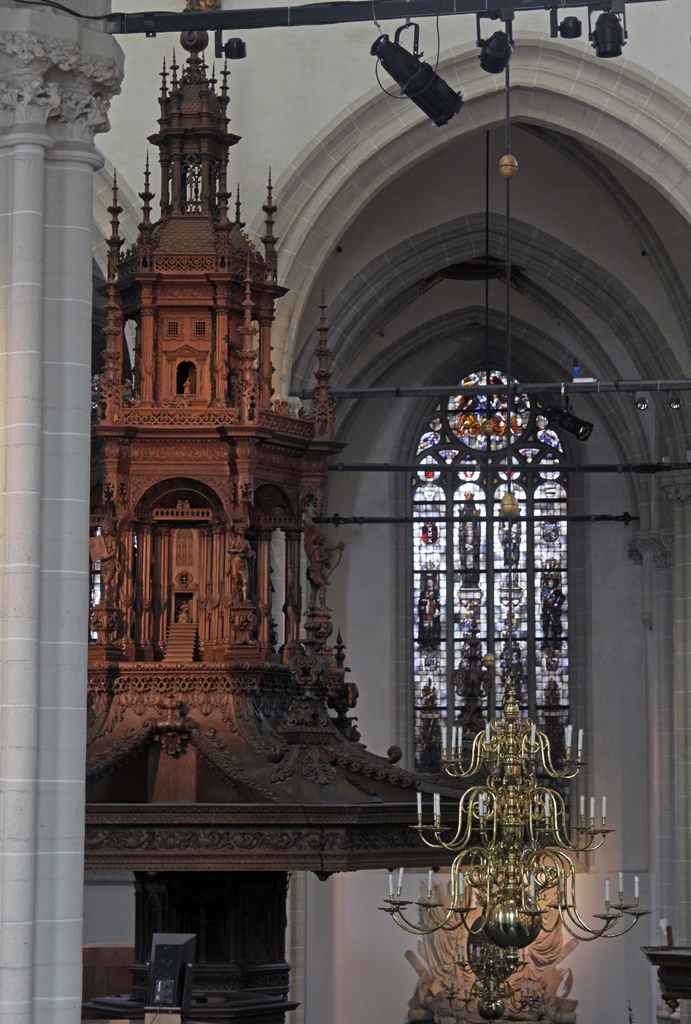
point(21, 373)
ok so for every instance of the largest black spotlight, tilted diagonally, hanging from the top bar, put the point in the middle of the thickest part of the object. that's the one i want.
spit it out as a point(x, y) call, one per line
point(417, 80)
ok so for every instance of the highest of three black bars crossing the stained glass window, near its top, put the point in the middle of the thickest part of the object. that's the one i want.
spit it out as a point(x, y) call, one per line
point(550, 388)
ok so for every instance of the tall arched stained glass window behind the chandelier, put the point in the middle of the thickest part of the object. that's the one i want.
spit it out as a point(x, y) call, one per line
point(487, 585)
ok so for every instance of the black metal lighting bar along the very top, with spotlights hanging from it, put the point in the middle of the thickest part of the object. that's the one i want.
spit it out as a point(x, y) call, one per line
point(345, 12)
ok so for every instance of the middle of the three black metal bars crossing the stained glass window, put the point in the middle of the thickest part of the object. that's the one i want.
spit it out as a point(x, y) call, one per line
point(644, 468)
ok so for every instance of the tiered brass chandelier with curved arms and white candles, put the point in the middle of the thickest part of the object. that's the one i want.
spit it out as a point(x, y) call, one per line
point(514, 852)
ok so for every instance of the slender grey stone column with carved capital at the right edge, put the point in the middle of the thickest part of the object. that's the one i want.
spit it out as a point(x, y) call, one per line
point(677, 489)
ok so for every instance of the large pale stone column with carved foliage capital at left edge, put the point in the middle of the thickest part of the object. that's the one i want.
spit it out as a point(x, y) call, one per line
point(56, 78)
